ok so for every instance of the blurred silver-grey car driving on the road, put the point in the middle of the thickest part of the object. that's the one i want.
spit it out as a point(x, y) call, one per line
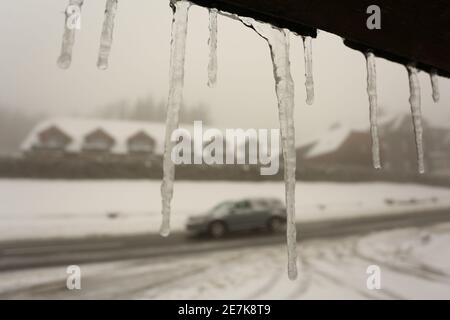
point(246, 214)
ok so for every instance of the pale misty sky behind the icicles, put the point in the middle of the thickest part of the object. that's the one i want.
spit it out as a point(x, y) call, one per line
point(31, 33)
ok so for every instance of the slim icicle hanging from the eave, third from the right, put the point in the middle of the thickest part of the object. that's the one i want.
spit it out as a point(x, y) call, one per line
point(372, 93)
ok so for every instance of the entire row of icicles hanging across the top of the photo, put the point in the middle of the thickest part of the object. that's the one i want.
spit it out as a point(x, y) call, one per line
point(278, 42)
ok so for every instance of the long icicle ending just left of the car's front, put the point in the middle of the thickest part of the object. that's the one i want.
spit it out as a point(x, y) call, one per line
point(177, 57)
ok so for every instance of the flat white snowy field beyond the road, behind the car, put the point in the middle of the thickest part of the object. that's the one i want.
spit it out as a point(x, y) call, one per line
point(49, 208)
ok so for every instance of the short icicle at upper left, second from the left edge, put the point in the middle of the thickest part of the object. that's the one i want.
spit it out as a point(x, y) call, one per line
point(107, 34)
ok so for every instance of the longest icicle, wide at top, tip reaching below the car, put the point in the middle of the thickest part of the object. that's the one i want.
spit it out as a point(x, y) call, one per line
point(278, 41)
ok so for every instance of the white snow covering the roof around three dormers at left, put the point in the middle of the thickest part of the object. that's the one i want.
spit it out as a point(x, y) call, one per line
point(119, 130)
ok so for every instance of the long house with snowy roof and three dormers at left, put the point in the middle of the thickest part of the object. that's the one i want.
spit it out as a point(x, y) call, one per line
point(89, 138)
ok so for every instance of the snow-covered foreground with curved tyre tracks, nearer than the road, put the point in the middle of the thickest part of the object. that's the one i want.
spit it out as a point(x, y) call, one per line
point(414, 264)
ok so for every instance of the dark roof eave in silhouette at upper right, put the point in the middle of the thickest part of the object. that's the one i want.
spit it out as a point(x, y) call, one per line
point(412, 31)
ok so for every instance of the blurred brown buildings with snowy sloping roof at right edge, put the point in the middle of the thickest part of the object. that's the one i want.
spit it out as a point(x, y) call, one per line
point(351, 147)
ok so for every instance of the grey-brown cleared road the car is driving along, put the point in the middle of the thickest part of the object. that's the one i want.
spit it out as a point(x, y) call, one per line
point(22, 255)
